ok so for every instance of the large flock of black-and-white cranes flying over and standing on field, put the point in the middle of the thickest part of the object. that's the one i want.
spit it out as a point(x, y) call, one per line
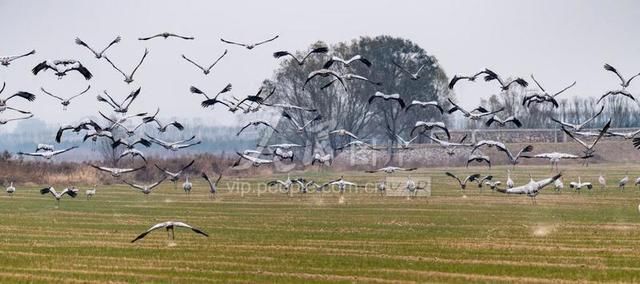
point(130, 124)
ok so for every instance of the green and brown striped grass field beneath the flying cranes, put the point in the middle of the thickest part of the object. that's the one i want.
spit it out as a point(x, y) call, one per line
point(482, 237)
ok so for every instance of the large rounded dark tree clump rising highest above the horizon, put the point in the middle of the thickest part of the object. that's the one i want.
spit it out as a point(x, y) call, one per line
point(349, 109)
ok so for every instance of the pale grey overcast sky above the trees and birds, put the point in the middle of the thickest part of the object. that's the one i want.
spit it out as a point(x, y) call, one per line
point(558, 41)
